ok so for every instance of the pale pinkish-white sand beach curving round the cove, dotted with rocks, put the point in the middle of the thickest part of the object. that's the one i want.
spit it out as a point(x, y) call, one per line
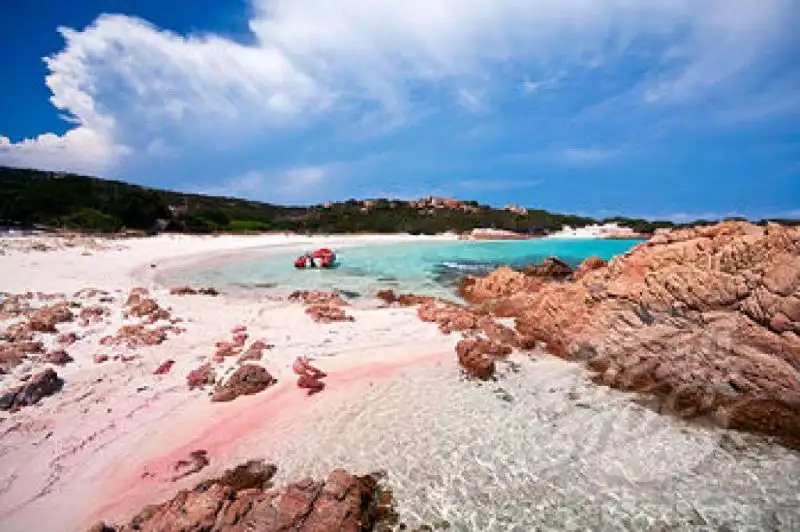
point(106, 444)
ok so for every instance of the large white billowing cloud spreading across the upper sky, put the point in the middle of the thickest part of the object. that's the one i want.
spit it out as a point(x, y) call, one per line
point(129, 87)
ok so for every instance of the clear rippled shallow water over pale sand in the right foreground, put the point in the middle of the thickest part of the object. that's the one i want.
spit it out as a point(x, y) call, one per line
point(541, 449)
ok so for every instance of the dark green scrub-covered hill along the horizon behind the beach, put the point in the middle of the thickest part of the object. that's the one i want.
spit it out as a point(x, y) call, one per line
point(60, 200)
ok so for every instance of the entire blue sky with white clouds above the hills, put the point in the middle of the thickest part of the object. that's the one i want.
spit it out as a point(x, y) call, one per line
point(659, 108)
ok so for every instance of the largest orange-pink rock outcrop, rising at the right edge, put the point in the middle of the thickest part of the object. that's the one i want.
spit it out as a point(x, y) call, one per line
point(707, 319)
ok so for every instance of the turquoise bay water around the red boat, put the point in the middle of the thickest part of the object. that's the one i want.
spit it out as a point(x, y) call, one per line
point(421, 268)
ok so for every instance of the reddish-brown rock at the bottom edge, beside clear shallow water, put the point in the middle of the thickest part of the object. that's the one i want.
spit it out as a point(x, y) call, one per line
point(243, 499)
